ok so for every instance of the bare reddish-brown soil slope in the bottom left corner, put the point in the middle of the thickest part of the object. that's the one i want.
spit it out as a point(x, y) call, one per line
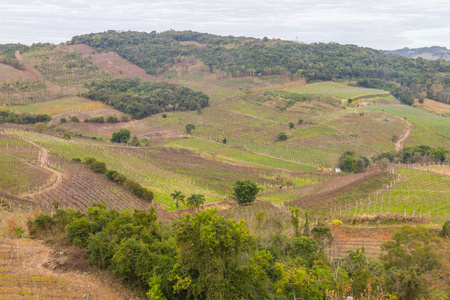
point(39, 271)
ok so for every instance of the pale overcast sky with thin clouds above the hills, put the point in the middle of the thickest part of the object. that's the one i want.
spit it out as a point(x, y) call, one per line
point(382, 24)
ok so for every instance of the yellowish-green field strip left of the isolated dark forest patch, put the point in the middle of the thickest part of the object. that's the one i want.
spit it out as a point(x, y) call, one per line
point(66, 105)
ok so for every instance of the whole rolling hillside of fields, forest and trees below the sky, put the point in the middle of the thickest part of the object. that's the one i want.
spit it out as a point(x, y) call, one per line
point(325, 154)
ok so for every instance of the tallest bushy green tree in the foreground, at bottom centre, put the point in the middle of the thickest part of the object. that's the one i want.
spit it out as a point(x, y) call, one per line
point(217, 259)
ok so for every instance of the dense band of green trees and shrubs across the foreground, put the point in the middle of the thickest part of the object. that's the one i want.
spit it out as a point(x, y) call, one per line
point(207, 256)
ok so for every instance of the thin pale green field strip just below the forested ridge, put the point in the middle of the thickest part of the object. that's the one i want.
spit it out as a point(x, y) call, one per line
point(336, 89)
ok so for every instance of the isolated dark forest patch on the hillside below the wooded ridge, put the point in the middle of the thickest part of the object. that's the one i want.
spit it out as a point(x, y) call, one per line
point(142, 99)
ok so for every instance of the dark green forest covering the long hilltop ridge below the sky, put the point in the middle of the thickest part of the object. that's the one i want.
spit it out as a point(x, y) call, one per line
point(241, 56)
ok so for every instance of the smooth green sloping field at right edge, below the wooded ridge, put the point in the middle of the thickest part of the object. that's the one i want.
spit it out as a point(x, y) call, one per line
point(427, 120)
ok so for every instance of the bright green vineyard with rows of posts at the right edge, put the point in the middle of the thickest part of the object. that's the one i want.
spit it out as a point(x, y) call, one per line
point(420, 193)
